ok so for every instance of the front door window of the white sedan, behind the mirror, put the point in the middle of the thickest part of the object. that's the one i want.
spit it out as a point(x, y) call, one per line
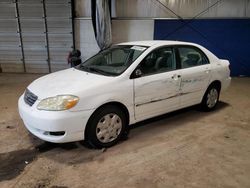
point(158, 61)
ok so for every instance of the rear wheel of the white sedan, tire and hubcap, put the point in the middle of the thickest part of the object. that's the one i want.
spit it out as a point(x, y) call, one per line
point(210, 98)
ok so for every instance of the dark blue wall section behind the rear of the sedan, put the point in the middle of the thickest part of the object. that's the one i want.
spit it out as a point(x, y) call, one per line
point(226, 38)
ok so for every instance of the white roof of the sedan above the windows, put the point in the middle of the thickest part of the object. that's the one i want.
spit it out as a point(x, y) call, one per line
point(150, 43)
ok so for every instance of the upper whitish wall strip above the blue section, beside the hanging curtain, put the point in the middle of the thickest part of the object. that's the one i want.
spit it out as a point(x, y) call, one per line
point(184, 8)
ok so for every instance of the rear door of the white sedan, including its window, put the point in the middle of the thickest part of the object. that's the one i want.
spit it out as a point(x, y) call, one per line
point(195, 74)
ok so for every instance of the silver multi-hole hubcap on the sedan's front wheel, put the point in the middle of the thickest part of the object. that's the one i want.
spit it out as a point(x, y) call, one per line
point(108, 128)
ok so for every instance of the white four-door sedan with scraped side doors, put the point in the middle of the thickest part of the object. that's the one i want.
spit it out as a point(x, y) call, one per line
point(127, 83)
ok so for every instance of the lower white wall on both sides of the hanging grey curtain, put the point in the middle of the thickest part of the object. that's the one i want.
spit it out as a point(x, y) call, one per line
point(122, 31)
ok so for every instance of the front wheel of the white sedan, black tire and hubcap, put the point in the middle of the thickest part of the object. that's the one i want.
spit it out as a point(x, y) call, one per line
point(106, 127)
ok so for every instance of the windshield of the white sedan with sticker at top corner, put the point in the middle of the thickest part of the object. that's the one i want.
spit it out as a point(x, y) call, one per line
point(112, 61)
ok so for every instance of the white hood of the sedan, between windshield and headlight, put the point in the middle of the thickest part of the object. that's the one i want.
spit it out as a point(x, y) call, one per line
point(70, 81)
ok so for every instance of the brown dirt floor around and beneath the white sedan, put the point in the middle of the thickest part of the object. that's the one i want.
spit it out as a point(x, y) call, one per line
point(187, 148)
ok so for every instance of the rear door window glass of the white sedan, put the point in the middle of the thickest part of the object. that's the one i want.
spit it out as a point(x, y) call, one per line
point(190, 57)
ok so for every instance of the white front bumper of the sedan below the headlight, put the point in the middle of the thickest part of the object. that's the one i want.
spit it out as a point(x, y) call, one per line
point(44, 124)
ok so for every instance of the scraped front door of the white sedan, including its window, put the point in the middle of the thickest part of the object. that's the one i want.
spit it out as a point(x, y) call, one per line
point(157, 90)
